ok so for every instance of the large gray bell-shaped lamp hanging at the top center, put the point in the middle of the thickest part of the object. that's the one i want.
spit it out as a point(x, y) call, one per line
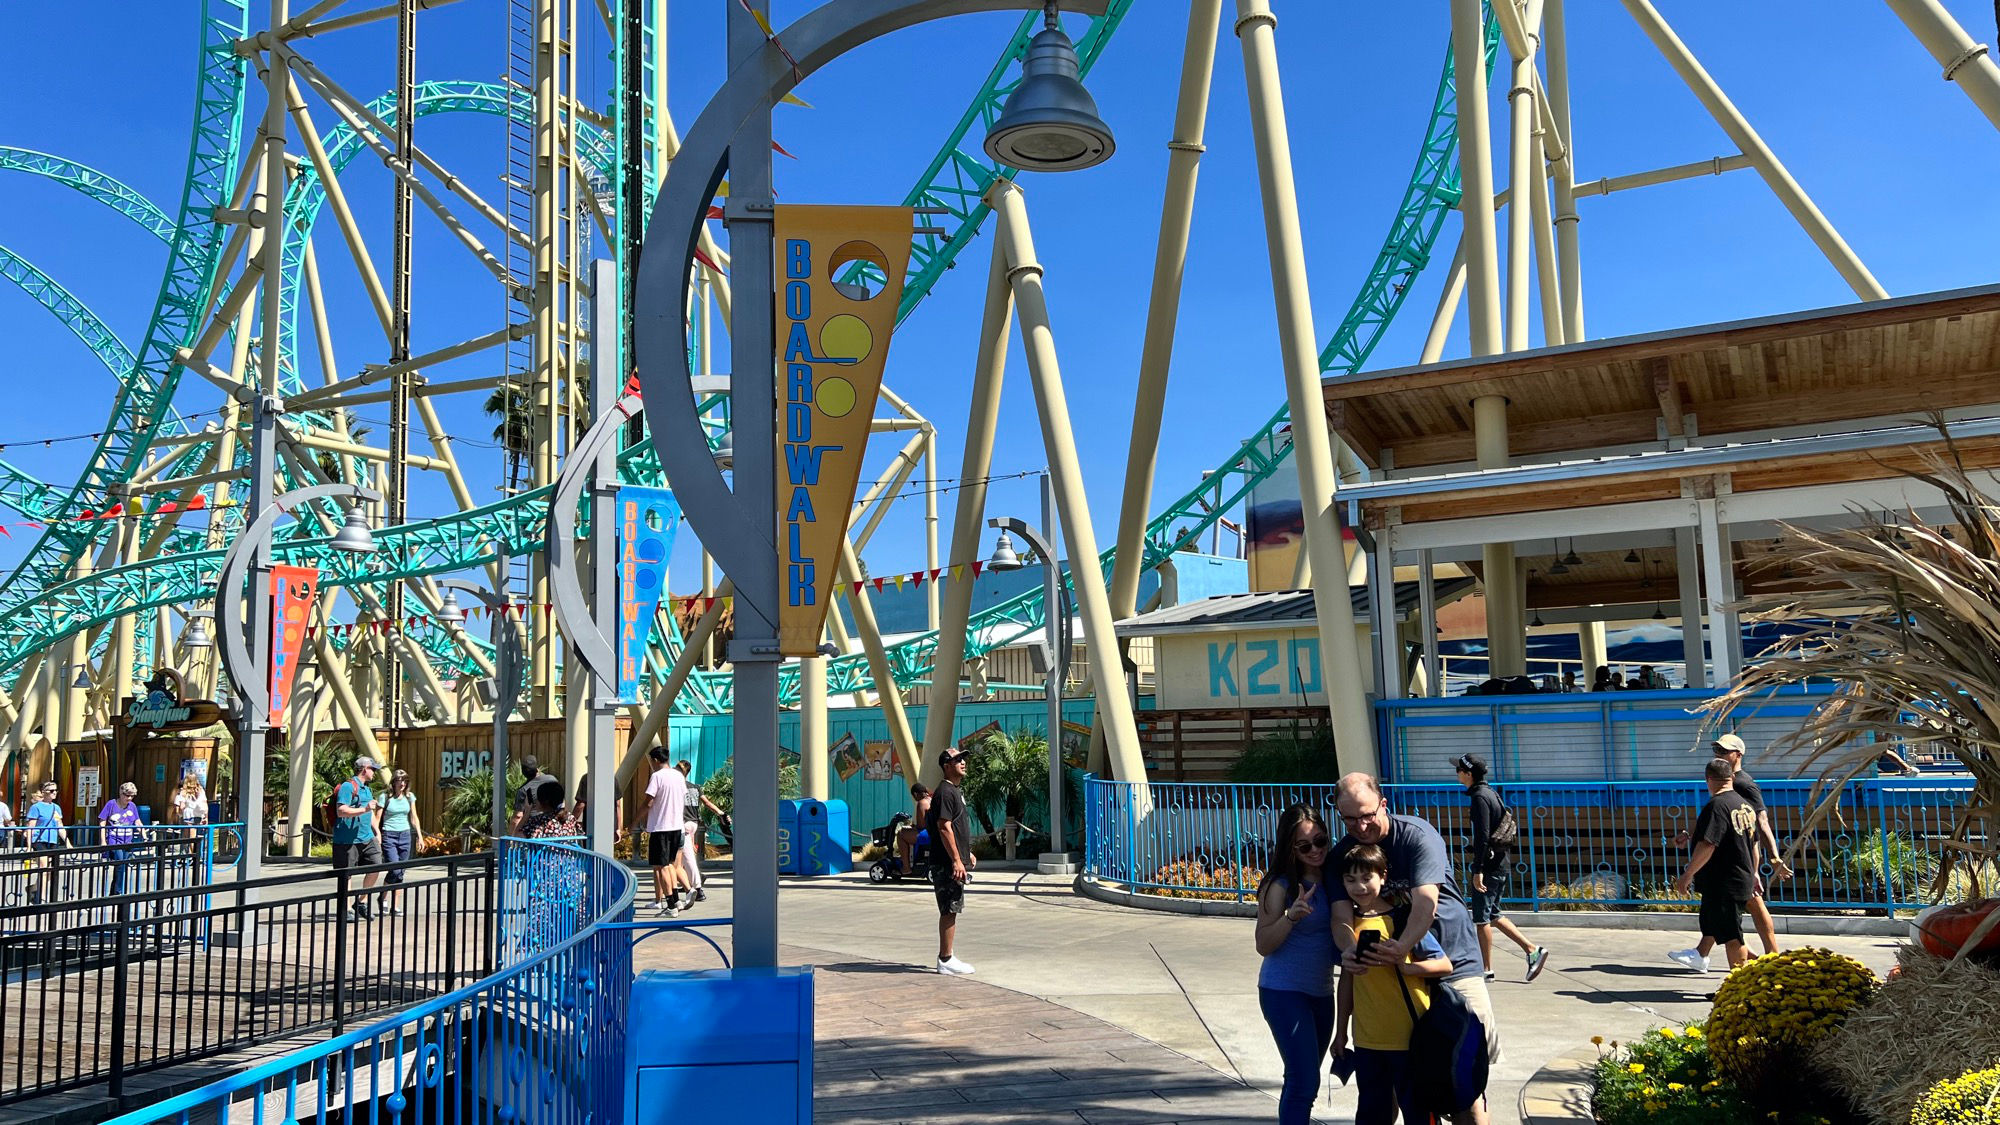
point(1051, 121)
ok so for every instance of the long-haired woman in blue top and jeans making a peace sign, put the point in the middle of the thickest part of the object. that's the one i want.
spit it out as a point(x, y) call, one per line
point(1295, 934)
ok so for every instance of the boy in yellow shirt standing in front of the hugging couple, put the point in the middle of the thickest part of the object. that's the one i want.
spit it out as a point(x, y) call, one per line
point(1381, 1004)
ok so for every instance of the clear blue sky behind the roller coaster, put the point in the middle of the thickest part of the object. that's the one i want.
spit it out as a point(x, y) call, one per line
point(1893, 155)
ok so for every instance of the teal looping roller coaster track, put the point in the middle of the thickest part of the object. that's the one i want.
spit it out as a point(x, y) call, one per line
point(43, 604)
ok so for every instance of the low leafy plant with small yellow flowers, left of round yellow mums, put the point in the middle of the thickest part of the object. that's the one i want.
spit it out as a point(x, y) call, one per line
point(1665, 1078)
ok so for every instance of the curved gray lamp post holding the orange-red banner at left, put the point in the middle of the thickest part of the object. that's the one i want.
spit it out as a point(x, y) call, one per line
point(247, 646)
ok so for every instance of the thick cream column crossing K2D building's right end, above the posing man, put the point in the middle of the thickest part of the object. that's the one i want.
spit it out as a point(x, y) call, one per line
point(1311, 441)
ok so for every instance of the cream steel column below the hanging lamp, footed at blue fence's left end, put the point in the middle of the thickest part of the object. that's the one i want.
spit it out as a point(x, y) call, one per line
point(1053, 407)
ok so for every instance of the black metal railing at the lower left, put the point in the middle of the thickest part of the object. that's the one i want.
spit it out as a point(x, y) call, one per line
point(165, 978)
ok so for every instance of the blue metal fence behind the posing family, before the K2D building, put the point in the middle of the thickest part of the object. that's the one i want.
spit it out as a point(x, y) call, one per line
point(1581, 844)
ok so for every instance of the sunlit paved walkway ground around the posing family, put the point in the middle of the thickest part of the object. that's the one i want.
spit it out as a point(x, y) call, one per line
point(1155, 1016)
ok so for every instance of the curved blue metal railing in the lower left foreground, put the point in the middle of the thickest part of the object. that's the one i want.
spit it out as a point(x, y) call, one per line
point(541, 1040)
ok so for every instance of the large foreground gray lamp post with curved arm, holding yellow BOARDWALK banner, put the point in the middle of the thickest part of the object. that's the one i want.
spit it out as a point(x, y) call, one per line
point(739, 525)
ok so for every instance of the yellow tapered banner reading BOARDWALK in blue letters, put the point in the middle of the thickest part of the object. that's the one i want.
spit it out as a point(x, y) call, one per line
point(841, 273)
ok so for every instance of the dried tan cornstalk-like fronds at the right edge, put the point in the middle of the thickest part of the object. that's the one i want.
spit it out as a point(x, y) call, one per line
point(1903, 618)
